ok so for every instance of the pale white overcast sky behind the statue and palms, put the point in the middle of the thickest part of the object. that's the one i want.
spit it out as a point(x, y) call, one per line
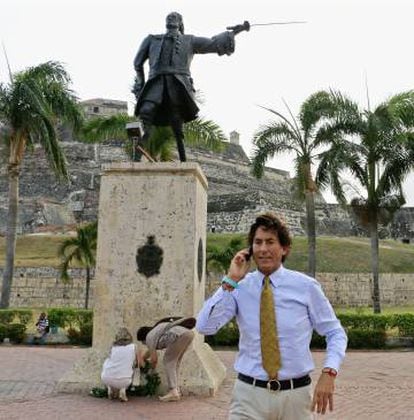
point(345, 45)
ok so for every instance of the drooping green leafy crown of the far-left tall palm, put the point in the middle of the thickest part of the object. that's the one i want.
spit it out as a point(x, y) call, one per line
point(34, 102)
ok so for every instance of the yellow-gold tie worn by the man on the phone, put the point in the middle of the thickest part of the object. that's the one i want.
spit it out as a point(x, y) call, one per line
point(268, 332)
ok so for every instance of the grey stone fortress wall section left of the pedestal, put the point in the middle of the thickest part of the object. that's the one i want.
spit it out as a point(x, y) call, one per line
point(46, 201)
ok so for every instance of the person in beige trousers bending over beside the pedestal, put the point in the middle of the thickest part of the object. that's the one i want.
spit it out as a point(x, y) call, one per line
point(175, 336)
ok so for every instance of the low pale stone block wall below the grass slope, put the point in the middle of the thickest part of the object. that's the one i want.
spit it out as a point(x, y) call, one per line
point(41, 287)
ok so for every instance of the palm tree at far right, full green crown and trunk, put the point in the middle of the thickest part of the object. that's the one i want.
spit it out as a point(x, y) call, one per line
point(377, 148)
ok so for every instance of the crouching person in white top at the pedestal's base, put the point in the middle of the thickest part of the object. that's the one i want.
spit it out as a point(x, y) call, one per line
point(117, 369)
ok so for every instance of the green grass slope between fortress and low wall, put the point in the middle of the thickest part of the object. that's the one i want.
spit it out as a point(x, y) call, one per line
point(334, 255)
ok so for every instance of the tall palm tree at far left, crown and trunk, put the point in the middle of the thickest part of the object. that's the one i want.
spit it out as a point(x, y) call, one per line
point(31, 105)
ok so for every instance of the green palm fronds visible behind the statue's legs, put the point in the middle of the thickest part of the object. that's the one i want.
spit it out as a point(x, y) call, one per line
point(200, 132)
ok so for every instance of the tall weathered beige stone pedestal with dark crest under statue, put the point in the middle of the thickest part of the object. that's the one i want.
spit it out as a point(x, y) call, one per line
point(164, 204)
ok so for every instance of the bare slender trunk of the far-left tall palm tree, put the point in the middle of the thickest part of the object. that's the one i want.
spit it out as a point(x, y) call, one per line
point(13, 173)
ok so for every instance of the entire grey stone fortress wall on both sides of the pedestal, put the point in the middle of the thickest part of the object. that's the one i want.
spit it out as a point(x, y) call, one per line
point(235, 197)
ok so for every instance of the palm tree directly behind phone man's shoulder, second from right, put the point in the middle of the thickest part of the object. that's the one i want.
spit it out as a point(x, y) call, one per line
point(300, 137)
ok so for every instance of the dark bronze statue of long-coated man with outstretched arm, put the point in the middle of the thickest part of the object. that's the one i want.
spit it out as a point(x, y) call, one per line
point(167, 97)
